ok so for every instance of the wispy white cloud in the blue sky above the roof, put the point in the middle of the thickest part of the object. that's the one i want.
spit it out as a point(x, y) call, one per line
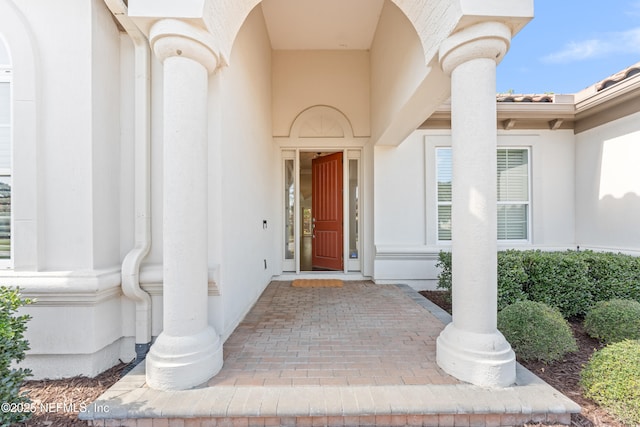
point(624, 42)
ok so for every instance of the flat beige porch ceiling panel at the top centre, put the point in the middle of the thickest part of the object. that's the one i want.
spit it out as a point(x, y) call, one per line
point(321, 24)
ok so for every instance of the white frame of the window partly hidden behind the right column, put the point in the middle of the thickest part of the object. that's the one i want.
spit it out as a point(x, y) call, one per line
point(528, 203)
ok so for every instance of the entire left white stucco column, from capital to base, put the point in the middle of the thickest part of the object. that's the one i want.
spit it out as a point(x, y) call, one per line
point(188, 351)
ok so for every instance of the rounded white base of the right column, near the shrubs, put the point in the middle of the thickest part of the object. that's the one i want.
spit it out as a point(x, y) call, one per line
point(485, 360)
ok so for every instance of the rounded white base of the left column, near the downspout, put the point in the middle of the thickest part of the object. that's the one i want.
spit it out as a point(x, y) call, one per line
point(181, 363)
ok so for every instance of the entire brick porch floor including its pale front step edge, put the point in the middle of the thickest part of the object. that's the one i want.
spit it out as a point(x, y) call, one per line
point(361, 355)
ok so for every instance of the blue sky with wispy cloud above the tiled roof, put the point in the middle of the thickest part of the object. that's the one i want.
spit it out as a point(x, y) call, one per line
point(570, 45)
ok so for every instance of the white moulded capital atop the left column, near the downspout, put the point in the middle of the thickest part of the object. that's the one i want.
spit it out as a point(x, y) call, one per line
point(176, 38)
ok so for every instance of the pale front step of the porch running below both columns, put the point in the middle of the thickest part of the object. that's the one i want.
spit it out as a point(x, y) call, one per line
point(131, 403)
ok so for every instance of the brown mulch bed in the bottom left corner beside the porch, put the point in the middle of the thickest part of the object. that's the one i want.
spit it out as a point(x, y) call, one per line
point(58, 402)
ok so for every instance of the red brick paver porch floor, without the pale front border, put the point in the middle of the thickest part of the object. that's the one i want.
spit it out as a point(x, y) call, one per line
point(360, 334)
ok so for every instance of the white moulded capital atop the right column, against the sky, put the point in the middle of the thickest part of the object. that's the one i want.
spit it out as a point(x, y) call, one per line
point(483, 40)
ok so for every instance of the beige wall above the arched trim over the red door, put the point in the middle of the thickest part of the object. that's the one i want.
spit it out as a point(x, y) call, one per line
point(303, 79)
